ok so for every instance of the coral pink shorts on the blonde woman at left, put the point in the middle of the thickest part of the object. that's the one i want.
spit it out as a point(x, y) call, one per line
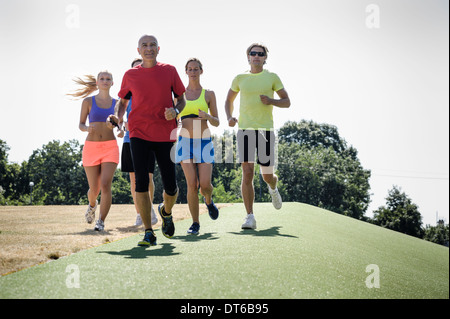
point(95, 153)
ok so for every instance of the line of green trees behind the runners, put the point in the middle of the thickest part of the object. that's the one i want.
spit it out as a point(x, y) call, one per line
point(315, 166)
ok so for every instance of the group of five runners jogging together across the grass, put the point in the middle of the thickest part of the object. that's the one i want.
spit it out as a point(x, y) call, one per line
point(155, 99)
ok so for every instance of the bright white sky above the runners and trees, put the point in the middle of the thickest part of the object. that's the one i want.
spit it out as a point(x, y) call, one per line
point(386, 88)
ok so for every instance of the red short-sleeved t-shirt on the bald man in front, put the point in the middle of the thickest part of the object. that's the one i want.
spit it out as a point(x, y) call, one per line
point(151, 89)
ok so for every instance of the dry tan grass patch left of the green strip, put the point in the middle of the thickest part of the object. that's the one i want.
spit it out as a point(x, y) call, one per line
point(30, 235)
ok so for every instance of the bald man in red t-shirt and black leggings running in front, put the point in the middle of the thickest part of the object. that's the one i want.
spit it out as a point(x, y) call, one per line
point(152, 125)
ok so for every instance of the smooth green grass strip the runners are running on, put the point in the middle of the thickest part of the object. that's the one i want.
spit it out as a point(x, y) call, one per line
point(298, 252)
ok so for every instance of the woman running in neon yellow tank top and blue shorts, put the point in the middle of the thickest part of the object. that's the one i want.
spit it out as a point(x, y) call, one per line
point(195, 150)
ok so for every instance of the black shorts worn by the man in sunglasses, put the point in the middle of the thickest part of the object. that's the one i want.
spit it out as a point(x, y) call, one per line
point(261, 142)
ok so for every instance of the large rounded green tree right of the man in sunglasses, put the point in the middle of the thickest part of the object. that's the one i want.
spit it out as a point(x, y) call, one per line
point(317, 167)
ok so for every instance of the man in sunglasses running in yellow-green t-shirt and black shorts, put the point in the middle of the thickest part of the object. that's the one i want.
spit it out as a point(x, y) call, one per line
point(256, 133)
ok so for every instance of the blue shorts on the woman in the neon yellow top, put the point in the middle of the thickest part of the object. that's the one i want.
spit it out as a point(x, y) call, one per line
point(198, 149)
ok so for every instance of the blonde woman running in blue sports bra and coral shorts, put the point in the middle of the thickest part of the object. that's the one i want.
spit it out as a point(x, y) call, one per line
point(100, 151)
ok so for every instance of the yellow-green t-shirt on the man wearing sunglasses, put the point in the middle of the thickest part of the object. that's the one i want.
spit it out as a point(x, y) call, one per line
point(253, 114)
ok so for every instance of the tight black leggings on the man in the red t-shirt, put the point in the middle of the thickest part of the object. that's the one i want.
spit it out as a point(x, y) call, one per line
point(142, 152)
